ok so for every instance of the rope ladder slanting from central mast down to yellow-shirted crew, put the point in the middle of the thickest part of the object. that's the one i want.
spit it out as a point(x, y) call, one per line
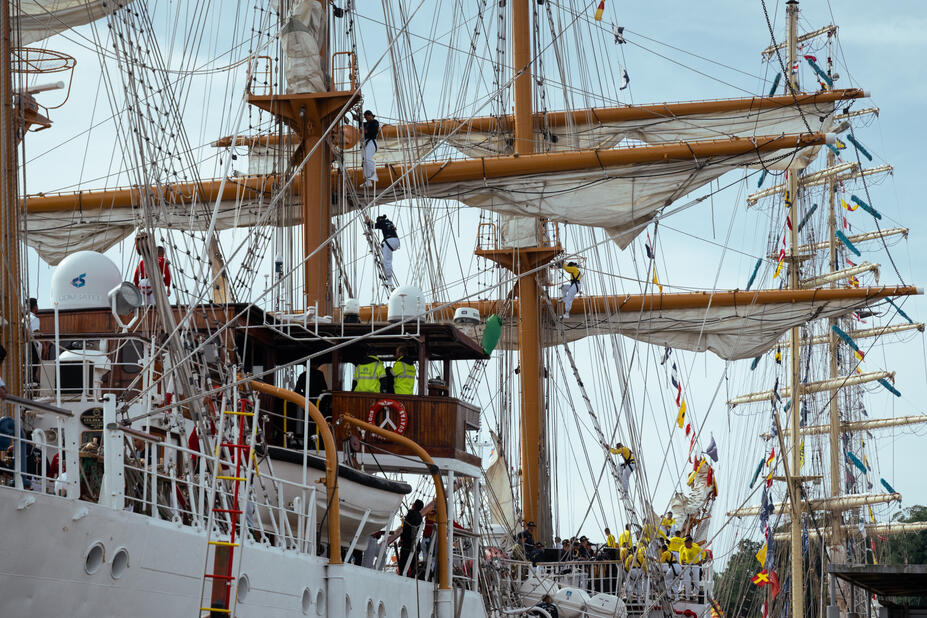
point(657, 583)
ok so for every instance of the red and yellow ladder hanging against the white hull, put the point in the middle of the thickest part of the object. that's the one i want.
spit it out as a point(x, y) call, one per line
point(231, 486)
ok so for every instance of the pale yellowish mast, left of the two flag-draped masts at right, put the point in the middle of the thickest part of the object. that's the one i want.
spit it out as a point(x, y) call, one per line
point(795, 493)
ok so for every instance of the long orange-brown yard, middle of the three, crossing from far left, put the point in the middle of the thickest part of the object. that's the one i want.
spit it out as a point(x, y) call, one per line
point(436, 172)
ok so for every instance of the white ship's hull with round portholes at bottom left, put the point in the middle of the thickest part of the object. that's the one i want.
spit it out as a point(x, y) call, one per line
point(47, 539)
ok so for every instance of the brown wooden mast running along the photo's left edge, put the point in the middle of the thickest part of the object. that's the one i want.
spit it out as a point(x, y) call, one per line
point(11, 306)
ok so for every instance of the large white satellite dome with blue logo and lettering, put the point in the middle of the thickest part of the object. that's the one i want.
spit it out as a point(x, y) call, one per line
point(83, 281)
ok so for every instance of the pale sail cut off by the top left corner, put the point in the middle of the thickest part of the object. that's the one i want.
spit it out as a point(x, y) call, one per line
point(40, 19)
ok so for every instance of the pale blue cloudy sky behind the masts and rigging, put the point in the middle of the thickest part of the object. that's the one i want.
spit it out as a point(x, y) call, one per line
point(668, 44)
